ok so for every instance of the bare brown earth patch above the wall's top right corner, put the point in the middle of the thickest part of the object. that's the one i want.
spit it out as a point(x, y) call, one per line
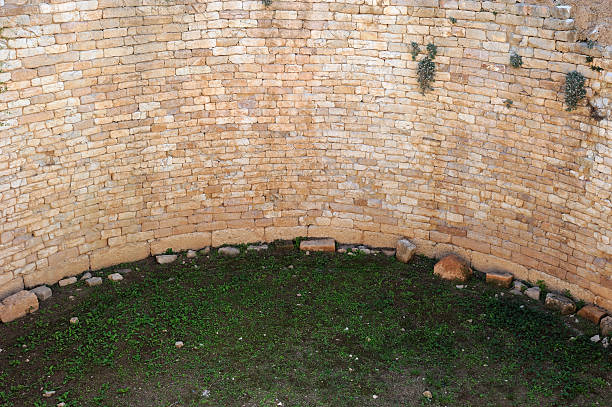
point(593, 18)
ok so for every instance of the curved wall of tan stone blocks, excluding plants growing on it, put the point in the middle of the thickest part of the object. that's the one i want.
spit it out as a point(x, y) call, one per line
point(133, 126)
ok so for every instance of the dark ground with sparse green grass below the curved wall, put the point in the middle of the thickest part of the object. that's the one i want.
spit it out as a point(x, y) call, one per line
point(283, 327)
